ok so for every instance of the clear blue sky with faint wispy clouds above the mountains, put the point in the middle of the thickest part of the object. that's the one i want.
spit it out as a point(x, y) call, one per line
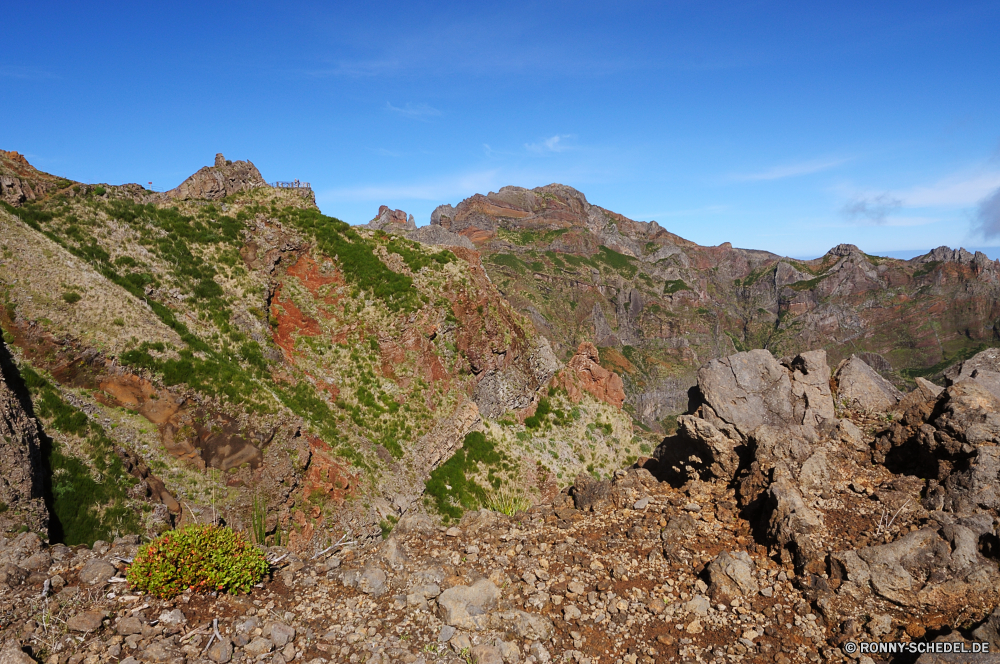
point(790, 127)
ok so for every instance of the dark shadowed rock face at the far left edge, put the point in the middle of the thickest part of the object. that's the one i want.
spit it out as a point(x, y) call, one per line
point(22, 502)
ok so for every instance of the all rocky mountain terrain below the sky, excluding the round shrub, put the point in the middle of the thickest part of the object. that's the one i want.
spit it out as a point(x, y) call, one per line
point(451, 438)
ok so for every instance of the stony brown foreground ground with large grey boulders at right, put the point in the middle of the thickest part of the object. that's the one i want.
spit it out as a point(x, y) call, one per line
point(790, 515)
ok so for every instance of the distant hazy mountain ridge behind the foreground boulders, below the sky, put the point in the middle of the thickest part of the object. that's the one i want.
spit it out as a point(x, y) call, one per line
point(659, 306)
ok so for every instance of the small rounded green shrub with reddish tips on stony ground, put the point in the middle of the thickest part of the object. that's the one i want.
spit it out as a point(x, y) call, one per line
point(203, 558)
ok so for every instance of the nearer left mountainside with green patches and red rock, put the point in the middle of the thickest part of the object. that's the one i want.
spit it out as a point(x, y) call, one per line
point(191, 352)
